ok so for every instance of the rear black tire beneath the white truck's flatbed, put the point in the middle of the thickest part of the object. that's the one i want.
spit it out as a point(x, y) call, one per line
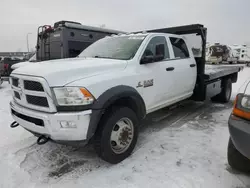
point(226, 92)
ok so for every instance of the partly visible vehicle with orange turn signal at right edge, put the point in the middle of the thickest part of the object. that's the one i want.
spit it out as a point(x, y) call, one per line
point(239, 128)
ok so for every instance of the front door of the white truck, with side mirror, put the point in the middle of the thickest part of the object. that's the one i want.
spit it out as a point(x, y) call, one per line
point(157, 74)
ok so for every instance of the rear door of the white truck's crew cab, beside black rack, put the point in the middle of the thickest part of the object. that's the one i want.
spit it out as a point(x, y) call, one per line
point(185, 68)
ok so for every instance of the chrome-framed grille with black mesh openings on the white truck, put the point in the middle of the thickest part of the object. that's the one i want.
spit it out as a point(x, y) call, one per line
point(32, 92)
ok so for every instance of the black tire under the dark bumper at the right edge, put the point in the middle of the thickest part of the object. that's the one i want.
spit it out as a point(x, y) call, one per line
point(236, 160)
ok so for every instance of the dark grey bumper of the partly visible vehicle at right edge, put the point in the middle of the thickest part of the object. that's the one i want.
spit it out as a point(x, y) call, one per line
point(240, 133)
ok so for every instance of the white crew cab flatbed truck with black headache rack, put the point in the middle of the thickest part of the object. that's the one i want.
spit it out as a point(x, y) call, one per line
point(103, 94)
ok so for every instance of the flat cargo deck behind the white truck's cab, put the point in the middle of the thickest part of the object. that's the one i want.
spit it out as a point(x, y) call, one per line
point(213, 72)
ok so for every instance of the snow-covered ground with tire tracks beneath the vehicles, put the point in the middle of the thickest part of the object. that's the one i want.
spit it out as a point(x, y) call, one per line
point(182, 148)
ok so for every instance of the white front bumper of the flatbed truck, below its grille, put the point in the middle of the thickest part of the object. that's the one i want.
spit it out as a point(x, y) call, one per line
point(50, 126)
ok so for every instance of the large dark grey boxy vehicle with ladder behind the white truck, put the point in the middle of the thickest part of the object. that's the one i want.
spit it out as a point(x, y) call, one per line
point(67, 39)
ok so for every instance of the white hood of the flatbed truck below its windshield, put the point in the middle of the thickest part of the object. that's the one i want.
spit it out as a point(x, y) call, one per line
point(63, 71)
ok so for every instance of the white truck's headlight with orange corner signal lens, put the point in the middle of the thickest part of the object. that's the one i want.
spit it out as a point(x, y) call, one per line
point(73, 96)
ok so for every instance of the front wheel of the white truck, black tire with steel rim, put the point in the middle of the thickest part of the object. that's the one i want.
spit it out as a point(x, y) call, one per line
point(117, 135)
